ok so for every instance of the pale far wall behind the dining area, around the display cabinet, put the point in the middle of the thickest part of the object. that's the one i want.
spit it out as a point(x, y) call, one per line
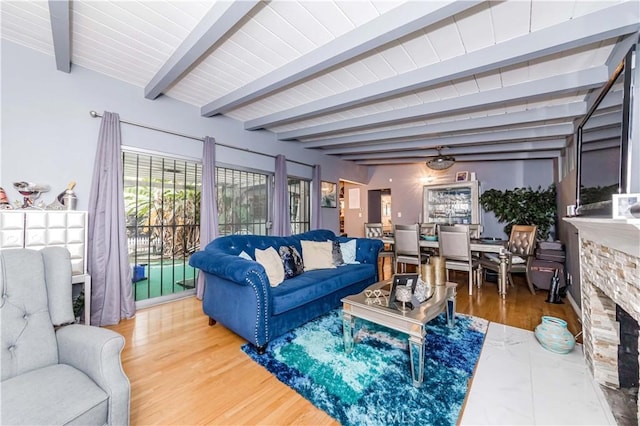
point(406, 183)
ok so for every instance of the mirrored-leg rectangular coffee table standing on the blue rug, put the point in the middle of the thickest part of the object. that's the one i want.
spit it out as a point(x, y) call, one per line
point(371, 305)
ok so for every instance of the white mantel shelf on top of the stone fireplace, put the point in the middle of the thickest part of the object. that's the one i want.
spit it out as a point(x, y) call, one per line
point(620, 234)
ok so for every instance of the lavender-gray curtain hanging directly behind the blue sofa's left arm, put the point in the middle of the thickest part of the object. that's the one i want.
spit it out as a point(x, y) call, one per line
point(208, 203)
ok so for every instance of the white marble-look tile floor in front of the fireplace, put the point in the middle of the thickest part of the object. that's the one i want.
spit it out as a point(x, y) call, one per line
point(517, 382)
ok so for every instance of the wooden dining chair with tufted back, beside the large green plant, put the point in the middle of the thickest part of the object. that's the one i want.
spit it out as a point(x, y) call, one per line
point(521, 247)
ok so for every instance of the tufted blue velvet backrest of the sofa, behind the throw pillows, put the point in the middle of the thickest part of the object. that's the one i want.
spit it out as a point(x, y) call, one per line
point(234, 244)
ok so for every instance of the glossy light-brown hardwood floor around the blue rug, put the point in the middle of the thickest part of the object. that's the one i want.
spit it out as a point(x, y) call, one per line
point(184, 372)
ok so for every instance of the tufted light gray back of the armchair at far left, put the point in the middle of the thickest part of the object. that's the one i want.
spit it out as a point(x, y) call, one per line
point(36, 295)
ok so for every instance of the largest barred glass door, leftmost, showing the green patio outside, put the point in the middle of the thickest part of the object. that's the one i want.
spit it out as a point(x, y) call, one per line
point(162, 207)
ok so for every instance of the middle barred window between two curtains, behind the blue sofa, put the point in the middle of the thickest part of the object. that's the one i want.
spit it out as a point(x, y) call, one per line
point(242, 202)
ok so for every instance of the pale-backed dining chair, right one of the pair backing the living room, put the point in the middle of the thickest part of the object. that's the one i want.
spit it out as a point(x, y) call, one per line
point(454, 245)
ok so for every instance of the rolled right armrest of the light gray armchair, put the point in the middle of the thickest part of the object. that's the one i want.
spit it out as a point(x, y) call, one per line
point(96, 352)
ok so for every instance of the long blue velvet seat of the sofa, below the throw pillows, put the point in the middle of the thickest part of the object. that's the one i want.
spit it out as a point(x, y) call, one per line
point(313, 285)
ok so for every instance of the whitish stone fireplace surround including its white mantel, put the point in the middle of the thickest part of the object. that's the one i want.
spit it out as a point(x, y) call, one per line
point(609, 276)
